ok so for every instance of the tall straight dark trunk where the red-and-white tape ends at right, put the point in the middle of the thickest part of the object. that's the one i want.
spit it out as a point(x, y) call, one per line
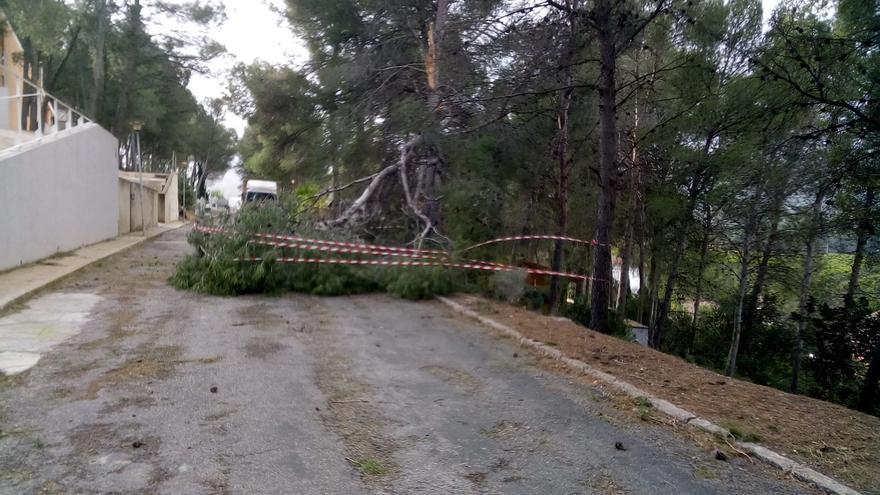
point(607, 166)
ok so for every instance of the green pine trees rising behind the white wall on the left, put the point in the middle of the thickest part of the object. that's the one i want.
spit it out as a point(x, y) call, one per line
point(121, 61)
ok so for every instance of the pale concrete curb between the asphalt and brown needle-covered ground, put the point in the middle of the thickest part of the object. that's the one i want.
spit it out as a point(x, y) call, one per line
point(766, 455)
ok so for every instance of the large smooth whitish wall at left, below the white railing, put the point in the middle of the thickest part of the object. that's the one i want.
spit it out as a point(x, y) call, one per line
point(57, 193)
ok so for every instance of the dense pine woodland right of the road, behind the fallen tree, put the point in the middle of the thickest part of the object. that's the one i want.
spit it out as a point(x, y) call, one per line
point(730, 164)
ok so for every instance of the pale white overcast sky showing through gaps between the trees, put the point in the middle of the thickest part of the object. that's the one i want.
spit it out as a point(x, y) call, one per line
point(255, 30)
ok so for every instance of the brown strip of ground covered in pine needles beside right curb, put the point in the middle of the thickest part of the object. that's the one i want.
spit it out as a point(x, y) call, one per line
point(832, 439)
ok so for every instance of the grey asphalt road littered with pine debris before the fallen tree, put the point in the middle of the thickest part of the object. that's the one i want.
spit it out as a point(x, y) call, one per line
point(164, 391)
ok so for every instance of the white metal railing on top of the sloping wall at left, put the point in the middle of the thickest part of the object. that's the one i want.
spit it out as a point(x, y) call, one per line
point(35, 110)
